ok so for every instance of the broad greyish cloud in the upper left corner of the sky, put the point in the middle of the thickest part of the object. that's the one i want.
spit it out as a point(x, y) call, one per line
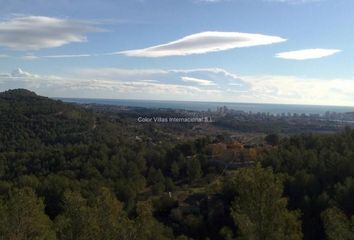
point(37, 32)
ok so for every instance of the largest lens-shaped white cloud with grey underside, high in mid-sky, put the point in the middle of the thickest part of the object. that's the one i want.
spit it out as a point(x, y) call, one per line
point(205, 42)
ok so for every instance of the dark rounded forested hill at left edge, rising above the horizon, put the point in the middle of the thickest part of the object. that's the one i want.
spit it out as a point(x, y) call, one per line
point(28, 121)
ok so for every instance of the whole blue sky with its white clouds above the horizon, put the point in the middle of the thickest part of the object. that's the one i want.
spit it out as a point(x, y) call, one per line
point(255, 51)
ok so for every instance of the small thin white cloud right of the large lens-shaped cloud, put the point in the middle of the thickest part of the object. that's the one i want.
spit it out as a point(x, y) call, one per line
point(307, 54)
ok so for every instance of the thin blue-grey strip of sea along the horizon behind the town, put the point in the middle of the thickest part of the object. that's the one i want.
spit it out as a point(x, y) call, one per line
point(212, 106)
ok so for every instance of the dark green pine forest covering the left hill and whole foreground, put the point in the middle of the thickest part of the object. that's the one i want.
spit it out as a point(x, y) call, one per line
point(69, 173)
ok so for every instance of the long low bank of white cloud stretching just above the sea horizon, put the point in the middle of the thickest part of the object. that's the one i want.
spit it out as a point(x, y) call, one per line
point(170, 85)
